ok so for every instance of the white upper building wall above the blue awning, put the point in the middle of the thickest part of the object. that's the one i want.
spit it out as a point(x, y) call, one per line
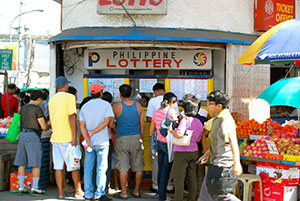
point(225, 15)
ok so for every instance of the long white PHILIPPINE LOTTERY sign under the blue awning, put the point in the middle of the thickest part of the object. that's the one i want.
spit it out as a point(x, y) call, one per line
point(148, 59)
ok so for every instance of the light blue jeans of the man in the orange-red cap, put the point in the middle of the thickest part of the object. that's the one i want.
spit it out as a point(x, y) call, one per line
point(101, 153)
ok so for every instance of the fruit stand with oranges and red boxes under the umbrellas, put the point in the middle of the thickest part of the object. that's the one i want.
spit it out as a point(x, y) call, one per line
point(274, 150)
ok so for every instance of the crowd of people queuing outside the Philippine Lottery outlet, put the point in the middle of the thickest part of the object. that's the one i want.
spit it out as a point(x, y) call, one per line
point(115, 135)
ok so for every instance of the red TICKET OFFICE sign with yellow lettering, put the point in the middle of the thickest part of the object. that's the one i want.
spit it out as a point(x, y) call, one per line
point(268, 13)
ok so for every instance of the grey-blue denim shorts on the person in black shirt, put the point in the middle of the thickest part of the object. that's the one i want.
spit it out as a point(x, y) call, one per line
point(29, 152)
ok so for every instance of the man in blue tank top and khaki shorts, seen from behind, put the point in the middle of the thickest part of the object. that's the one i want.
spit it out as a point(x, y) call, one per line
point(130, 129)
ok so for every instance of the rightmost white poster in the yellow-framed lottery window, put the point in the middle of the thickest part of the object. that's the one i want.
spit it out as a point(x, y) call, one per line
point(197, 87)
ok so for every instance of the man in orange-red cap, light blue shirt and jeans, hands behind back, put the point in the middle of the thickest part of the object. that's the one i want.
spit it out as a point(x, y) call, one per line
point(94, 118)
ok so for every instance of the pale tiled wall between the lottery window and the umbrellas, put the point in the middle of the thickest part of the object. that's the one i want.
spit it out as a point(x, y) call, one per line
point(243, 85)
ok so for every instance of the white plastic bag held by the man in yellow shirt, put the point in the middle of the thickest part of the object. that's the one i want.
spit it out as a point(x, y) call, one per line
point(73, 156)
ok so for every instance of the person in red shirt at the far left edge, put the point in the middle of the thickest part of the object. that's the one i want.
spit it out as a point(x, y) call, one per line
point(13, 101)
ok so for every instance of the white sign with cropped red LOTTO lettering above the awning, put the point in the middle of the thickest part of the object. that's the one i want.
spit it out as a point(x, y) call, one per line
point(132, 6)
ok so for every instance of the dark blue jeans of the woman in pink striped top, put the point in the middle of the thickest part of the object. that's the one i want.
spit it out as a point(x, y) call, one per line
point(164, 168)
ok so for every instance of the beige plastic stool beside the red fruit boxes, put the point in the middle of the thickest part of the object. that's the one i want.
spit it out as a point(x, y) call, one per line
point(247, 180)
